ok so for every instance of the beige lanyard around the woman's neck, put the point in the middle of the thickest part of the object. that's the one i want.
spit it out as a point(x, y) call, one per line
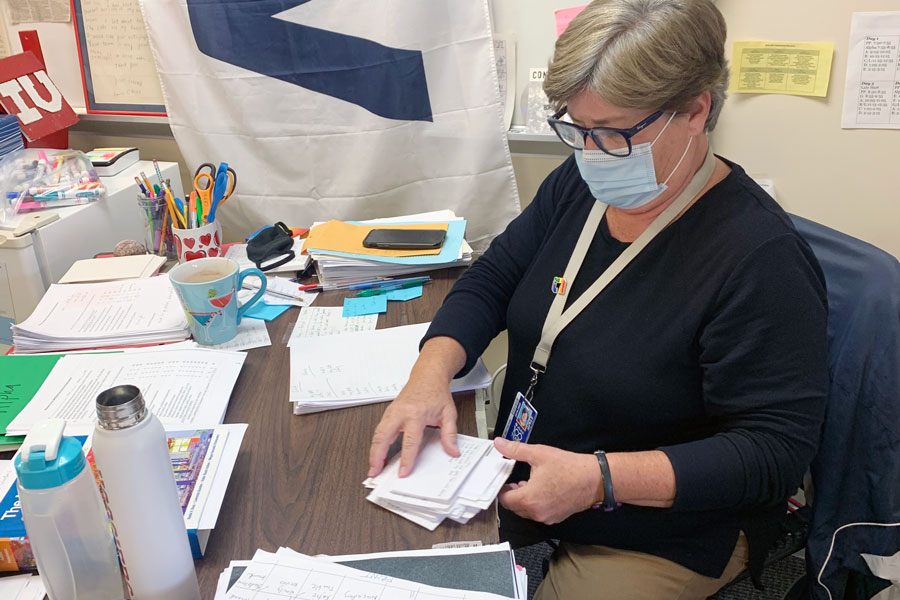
point(557, 318)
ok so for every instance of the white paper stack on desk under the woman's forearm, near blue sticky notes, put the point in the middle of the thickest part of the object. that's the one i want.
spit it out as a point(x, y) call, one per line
point(350, 369)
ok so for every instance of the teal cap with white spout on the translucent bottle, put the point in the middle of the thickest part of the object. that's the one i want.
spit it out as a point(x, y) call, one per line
point(48, 459)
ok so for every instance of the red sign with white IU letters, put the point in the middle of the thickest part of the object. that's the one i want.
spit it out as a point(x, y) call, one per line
point(26, 91)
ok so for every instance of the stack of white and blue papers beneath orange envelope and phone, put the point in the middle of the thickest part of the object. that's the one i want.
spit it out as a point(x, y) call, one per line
point(344, 267)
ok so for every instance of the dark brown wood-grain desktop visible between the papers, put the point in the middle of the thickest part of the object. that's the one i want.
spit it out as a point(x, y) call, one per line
point(298, 479)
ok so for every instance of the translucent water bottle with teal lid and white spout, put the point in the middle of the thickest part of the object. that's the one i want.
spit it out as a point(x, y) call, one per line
point(64, 517)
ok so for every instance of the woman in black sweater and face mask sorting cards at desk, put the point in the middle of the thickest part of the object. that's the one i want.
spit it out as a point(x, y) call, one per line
point(684, 392)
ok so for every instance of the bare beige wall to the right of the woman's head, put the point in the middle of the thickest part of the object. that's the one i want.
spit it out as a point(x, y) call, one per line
point(846, 179)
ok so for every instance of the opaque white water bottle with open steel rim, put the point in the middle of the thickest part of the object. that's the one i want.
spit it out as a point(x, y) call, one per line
point(131, 452)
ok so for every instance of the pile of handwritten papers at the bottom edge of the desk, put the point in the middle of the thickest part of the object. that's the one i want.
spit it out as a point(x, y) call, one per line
point(289, 574)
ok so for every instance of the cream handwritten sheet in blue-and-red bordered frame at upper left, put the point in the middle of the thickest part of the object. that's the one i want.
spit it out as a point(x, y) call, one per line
point(117, 67)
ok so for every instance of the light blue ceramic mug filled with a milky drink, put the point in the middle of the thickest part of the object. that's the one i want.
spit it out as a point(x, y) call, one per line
point(207, 288)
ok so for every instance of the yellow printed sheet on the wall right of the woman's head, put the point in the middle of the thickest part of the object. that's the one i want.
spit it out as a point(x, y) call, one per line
point(795, 68)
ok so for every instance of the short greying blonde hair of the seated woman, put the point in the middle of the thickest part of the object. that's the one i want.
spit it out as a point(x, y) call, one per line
point(646, 54)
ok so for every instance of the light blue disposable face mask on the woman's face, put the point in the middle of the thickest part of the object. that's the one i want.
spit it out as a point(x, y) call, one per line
point(624, 181)
